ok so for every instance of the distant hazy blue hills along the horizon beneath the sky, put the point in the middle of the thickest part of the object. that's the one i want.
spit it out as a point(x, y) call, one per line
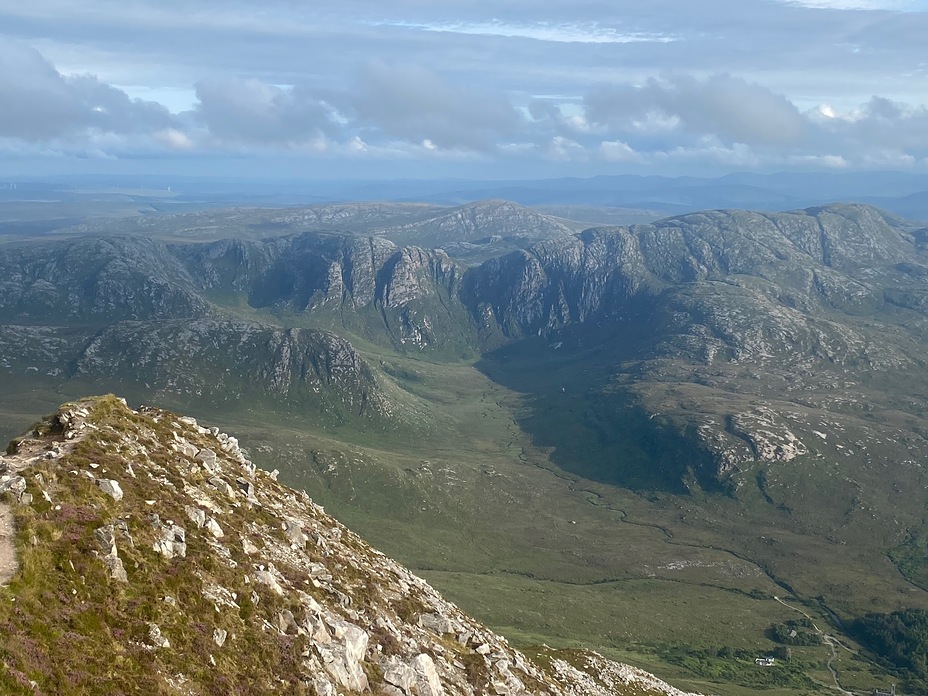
point(48, 206)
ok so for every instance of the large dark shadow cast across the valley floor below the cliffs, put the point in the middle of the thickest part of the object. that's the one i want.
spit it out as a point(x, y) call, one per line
point(593, 425)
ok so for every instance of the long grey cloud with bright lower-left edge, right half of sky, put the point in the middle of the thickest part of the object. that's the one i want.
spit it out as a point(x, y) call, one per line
point(728, 107)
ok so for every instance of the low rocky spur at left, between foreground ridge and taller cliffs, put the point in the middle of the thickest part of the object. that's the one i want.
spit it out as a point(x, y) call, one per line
point(298, 367)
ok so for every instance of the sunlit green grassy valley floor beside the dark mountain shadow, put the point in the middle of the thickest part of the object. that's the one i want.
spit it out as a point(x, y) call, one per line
point(542, 556)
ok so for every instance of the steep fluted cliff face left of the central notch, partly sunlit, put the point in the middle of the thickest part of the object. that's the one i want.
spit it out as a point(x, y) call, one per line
point(404, 297)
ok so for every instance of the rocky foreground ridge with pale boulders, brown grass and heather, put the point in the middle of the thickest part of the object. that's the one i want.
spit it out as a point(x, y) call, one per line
point(151, 556)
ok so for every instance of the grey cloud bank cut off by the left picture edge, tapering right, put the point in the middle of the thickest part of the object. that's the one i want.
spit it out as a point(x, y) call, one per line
point(40, 104)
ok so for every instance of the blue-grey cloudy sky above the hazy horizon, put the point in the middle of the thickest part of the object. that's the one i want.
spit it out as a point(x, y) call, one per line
point(476, 89)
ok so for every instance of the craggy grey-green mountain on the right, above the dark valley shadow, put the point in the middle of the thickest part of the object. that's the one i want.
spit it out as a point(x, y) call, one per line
point(803, 308)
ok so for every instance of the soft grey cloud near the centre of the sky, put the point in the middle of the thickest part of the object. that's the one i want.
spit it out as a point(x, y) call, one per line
point(415, 104)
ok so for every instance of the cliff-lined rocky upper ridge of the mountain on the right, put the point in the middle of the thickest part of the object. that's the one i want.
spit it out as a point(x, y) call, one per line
point(837, 258)
